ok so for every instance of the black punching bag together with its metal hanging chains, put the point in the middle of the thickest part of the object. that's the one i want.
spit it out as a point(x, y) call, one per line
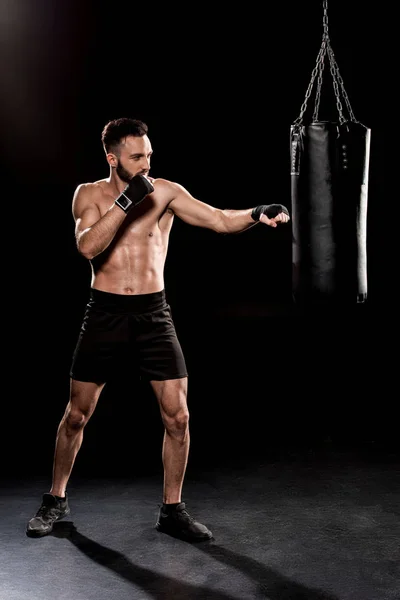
point(329, 163)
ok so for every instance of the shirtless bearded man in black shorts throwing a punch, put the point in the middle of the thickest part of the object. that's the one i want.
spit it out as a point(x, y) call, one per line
point(122, 226)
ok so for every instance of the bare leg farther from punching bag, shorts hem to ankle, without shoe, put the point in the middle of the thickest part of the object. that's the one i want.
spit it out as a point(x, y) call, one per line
point(83, 401)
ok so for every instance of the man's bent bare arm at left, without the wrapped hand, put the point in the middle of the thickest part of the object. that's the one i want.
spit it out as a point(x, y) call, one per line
point(93, 232)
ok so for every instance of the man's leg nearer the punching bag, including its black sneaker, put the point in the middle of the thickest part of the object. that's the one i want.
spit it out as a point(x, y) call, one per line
point(173, 517)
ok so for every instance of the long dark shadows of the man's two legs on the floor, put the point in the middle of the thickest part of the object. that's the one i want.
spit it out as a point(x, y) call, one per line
point(271, 584)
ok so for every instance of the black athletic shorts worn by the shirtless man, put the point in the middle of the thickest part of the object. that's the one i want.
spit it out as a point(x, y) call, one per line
point(120, 333)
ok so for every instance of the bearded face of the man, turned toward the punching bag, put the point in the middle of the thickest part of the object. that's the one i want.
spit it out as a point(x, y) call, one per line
point(134, 158)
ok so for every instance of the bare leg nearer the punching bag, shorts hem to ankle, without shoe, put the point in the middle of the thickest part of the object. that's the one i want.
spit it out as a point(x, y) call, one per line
point(171, 396)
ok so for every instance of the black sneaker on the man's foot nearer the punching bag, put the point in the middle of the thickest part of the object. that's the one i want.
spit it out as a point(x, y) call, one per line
point(178, 523)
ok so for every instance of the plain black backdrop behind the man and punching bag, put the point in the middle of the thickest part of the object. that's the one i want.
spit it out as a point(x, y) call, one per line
point(218, 88)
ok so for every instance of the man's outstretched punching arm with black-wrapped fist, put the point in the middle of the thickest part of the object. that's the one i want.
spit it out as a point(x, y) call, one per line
point(200, 214)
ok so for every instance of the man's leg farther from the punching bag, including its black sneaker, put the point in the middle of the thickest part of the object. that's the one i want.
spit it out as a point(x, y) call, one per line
point(82, 402)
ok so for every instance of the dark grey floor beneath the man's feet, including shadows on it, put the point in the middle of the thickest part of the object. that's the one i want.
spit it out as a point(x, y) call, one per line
point(309, 525)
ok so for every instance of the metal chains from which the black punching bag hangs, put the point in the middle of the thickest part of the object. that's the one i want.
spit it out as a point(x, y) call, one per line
point(326, 48)
